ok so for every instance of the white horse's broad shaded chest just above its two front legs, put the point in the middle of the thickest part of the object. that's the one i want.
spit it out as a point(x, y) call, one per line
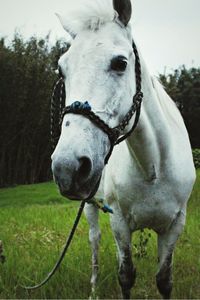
point(144, 208)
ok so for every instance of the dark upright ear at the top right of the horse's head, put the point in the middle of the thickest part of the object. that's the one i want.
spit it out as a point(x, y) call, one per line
point(124, 10)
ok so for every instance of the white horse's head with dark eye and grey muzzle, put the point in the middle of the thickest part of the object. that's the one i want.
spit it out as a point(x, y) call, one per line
point(97, 68)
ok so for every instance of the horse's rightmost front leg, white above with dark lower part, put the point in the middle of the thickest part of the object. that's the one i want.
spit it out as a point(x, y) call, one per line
point(166, 244)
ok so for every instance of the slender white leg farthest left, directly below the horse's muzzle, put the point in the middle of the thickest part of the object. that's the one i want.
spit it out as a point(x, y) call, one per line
point(92, 213)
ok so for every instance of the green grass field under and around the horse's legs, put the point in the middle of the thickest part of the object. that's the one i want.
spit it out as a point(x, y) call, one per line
point(34, 222)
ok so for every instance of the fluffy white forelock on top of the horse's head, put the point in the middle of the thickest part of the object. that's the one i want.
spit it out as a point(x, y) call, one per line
point(88, 14)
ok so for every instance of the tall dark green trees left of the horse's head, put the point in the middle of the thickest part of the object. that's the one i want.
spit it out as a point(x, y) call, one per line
point(26, 80)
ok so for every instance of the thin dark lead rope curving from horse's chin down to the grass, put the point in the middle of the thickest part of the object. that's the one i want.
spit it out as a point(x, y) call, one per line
point(62, 255)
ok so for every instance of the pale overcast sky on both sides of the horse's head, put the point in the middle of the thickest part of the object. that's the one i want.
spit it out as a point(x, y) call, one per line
point(168, 32)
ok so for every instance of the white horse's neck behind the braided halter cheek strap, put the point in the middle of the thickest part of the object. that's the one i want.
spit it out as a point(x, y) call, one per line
point(147, 144)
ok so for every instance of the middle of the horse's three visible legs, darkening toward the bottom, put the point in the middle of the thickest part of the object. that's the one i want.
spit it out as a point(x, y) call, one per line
point(127, 271)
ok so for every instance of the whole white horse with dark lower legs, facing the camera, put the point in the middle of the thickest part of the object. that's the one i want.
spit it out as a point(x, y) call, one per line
point(150, 175)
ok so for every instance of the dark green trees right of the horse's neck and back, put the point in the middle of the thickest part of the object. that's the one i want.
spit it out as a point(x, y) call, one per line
point(184, 87)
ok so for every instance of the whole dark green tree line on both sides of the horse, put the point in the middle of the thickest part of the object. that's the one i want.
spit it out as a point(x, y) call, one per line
point(27, 76)
